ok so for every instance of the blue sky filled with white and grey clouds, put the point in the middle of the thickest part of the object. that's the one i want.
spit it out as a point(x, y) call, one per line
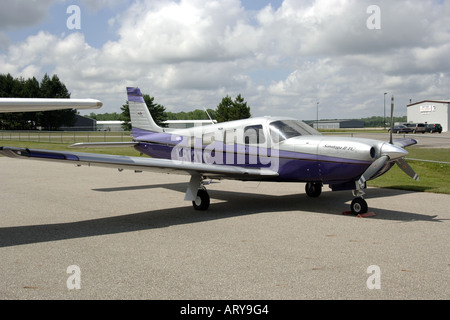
point(286, 58)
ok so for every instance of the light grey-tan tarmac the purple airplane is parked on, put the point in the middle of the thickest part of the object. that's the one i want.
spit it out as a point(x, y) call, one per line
point(94, 233)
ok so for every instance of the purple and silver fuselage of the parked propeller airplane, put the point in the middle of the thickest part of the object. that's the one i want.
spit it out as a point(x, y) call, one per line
point(297, 152)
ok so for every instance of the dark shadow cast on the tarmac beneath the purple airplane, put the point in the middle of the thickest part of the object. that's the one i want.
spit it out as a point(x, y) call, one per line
point(234, 204)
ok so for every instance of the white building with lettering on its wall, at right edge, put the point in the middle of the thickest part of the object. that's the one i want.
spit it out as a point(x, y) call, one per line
point(430, 111)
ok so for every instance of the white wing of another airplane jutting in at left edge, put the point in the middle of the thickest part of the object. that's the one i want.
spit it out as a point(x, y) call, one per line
point(46, 104)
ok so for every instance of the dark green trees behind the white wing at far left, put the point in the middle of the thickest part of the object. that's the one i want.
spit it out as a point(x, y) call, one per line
point(11, 87)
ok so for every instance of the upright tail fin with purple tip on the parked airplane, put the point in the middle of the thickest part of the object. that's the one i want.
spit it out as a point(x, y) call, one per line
point(140, 116)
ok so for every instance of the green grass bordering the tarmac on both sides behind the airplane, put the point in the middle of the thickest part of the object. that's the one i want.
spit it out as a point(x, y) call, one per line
point(434, 177)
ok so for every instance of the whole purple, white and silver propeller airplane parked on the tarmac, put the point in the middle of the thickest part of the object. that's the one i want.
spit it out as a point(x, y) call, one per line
point(256, 149)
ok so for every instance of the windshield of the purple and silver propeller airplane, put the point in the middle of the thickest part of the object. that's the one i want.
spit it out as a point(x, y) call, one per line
point(285, 129)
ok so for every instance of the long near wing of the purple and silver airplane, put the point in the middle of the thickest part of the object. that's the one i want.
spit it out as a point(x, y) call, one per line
point(141, 164)
